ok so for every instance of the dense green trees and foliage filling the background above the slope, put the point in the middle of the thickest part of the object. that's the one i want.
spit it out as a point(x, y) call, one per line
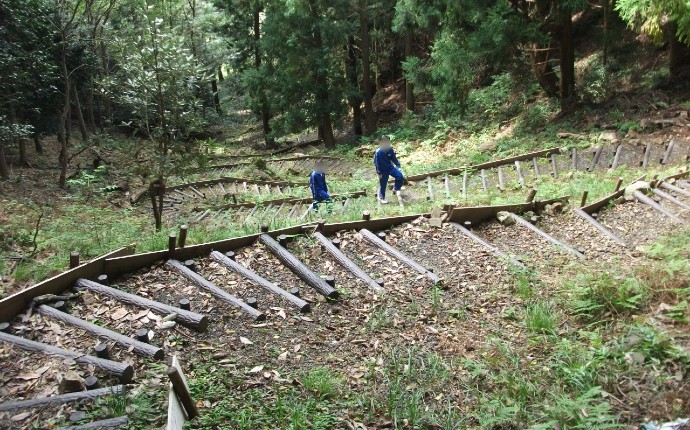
point(82, 68)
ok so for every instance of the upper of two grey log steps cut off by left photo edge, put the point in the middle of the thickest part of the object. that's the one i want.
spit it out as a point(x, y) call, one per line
point(123, 371)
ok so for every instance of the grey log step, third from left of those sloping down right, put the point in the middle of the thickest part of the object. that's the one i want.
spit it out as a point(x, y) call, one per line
point(186, 318)
